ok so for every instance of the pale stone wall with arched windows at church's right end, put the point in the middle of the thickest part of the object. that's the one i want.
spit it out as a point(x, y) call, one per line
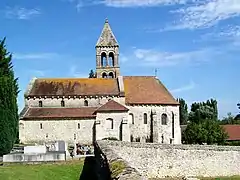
point(142, 131)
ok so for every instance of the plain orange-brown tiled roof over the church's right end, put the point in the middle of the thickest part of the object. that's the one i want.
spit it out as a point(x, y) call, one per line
point(146, 90)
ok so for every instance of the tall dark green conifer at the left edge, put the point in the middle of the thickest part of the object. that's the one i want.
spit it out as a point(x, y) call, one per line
point(8, 101)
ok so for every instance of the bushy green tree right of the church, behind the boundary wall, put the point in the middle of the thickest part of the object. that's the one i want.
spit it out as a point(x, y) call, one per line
point(203, 125)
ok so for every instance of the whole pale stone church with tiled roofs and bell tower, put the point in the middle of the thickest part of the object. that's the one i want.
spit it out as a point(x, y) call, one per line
point(127, 108)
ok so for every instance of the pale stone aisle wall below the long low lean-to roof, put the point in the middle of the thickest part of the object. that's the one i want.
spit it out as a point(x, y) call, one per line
point(55, 130)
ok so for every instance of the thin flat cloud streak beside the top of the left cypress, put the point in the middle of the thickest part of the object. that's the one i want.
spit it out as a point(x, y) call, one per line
point(32, 56)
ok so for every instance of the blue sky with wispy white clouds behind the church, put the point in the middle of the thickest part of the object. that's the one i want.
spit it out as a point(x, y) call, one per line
point(194, 44)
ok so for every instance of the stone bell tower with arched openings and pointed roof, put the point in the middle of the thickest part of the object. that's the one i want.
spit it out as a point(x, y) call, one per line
point(107, 53)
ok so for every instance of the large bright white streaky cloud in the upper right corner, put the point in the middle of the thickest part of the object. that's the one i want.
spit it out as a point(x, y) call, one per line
point(206, 13)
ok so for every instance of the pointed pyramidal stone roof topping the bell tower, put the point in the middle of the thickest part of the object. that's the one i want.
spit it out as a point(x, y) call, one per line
point(107, 37)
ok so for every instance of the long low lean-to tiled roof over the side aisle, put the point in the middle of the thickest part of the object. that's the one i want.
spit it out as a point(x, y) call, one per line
point(59, 113)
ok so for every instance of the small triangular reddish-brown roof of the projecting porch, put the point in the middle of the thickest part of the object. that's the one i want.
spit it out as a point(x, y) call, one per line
point(112, 106)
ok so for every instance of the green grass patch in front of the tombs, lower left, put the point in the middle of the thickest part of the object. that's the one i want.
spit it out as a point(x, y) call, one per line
point(56, 171)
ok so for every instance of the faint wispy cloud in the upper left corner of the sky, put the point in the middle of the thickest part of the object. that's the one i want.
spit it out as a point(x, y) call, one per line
point(21, 13)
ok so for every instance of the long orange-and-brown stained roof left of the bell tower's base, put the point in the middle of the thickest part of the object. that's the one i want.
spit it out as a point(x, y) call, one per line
point(75, 86)
